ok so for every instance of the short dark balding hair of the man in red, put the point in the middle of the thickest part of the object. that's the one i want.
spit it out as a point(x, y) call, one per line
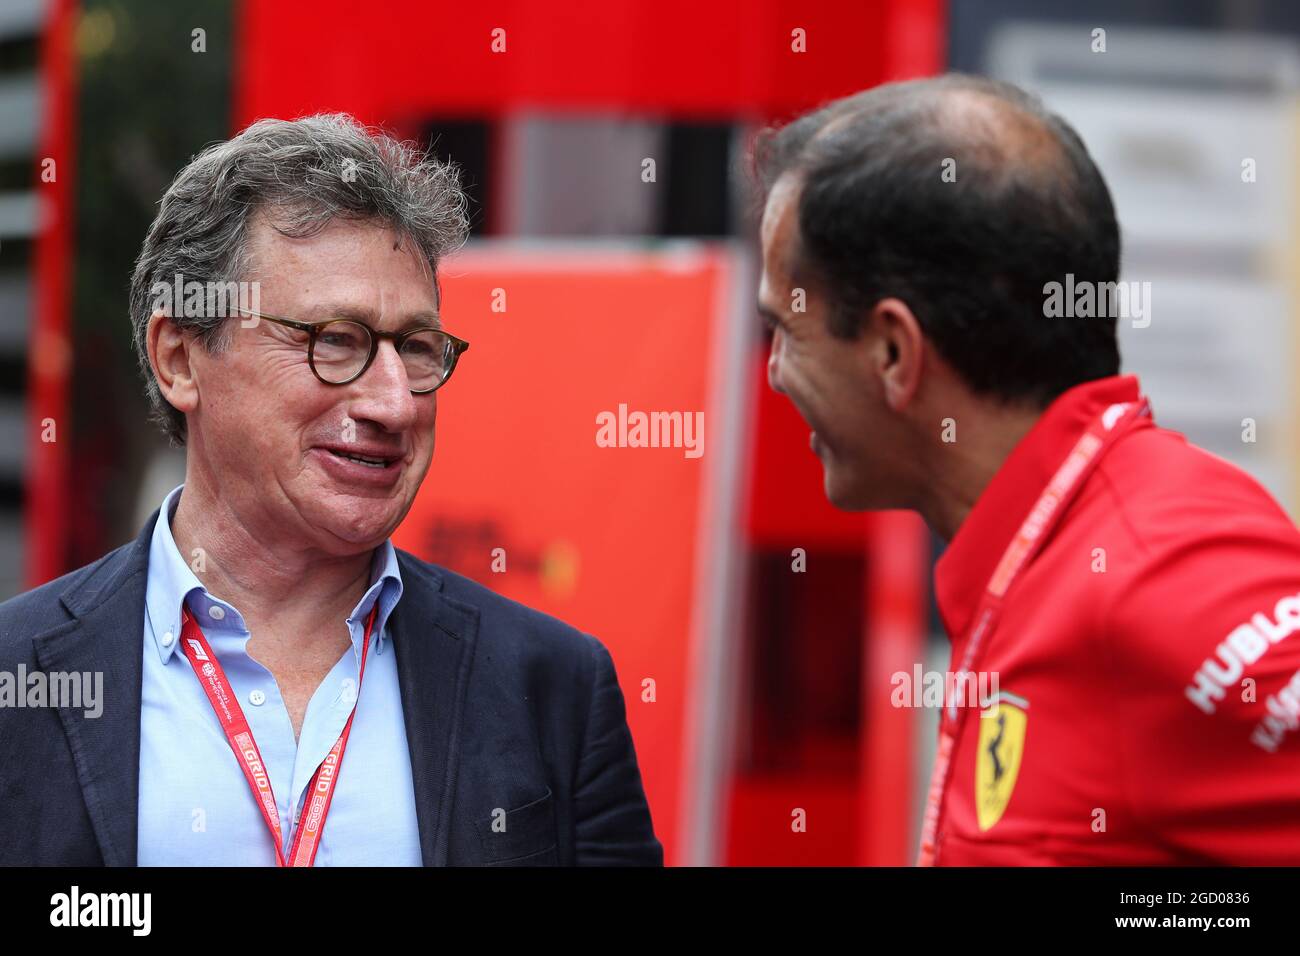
point(969, 257)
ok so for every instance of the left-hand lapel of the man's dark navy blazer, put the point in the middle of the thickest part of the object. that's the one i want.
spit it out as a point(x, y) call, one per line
point(107, 635)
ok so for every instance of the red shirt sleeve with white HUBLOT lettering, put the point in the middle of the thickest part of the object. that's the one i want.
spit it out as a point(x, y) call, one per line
point(1204, 646)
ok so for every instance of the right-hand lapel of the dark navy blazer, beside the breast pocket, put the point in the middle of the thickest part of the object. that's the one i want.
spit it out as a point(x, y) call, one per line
point(434, 638)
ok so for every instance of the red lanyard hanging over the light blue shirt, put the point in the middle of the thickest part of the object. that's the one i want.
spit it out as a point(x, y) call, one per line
point(240, 736)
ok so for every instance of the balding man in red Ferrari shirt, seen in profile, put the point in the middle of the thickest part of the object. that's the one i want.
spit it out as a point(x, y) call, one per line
point(1137, 599)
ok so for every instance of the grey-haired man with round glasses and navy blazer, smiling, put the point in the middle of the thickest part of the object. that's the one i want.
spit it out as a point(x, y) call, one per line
point(263, 628)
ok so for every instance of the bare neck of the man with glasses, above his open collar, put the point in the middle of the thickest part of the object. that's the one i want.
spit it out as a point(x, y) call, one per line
point(280, 587)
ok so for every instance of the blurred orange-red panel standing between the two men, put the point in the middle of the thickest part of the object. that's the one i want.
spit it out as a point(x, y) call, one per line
point(604, 538)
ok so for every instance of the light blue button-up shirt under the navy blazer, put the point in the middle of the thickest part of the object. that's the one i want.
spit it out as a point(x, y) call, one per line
point(196, 807)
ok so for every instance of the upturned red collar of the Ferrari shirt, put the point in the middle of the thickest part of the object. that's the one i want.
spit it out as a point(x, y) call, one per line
point(963, 573)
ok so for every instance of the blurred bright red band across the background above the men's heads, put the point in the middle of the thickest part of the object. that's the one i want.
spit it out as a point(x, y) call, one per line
point(415, 58)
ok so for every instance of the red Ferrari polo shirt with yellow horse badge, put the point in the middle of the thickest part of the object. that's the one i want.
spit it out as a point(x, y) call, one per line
point(1147, 660)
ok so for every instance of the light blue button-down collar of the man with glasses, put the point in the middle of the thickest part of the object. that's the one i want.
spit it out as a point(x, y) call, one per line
point(172, 582)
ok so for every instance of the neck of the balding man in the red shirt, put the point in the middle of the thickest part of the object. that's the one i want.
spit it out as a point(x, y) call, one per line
point(960, 471)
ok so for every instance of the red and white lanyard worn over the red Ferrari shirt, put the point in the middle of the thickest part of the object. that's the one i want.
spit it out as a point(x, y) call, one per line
point(1034, 531)
